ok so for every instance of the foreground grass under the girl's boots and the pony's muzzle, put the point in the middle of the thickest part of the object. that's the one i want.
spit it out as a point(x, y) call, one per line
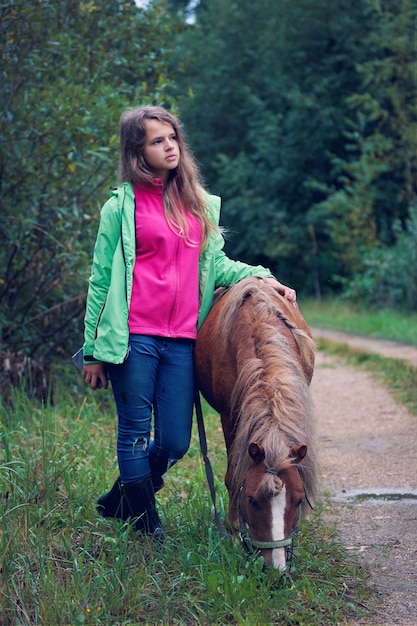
point(63, 564)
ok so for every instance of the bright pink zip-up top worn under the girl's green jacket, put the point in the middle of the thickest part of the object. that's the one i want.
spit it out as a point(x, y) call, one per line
point(165, 298)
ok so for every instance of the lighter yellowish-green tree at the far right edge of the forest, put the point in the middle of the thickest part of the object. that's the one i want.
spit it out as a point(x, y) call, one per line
point(374, 186)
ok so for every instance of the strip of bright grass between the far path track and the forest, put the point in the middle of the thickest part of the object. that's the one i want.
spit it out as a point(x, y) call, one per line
point(340, 315)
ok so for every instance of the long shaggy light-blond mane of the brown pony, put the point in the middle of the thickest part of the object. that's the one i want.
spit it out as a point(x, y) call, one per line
point(271, 396)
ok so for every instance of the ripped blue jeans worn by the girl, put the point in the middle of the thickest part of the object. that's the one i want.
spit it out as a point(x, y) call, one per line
point(157, 377)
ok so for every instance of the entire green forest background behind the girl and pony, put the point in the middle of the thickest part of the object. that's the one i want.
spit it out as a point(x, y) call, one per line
point(303, 116)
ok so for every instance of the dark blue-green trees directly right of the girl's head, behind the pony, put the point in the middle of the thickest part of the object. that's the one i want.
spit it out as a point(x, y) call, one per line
point(266, 105)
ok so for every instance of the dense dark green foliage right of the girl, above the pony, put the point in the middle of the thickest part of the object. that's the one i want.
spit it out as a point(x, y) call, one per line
point(304, 117)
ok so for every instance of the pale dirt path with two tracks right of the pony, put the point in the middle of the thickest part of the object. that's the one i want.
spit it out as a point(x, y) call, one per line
point(367, 447)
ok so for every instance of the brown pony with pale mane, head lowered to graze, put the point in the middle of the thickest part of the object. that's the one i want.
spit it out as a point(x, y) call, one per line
point(254, 362)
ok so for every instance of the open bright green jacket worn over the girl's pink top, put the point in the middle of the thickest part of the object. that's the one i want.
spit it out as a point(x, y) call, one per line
point(110, 285)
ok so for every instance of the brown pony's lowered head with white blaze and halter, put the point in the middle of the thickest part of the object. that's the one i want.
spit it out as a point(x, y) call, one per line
point(269, 505)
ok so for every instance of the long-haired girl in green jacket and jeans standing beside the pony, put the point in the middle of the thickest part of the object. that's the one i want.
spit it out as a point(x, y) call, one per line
point(157, 260)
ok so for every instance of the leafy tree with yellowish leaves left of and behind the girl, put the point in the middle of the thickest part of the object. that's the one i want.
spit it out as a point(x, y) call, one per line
point(68, 70)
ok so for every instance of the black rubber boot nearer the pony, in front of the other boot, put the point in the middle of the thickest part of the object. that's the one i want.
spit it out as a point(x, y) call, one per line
point(140, 497)
